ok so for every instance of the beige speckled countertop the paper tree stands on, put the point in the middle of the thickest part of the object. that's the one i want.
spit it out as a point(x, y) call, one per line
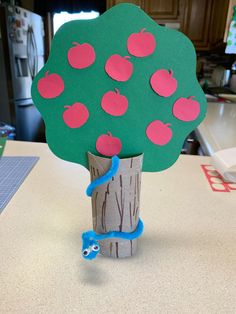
point(186, 262)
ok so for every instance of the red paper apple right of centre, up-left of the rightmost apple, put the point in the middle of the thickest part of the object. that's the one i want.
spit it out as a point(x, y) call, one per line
point(163, 82)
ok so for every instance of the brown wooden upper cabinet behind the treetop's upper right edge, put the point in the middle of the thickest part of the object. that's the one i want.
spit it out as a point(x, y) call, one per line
point(203, 21)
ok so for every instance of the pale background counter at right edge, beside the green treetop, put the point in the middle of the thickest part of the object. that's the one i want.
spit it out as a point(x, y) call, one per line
point(218, 129)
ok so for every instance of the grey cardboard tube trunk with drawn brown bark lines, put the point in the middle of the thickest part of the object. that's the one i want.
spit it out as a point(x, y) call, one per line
point(115, 204)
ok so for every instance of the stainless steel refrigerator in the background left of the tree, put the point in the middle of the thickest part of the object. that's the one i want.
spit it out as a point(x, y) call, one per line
point(21, 57)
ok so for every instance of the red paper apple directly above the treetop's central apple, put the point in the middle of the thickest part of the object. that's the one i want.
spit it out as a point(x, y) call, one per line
point(119, 68)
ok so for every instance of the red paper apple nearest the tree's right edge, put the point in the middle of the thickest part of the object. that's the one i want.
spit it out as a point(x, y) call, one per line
point(186, 109)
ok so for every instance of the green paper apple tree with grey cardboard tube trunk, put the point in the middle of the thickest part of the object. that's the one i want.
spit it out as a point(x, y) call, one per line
point(119, 85)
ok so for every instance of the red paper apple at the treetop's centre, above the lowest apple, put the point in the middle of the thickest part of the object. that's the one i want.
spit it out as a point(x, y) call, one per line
point(114, 103)
